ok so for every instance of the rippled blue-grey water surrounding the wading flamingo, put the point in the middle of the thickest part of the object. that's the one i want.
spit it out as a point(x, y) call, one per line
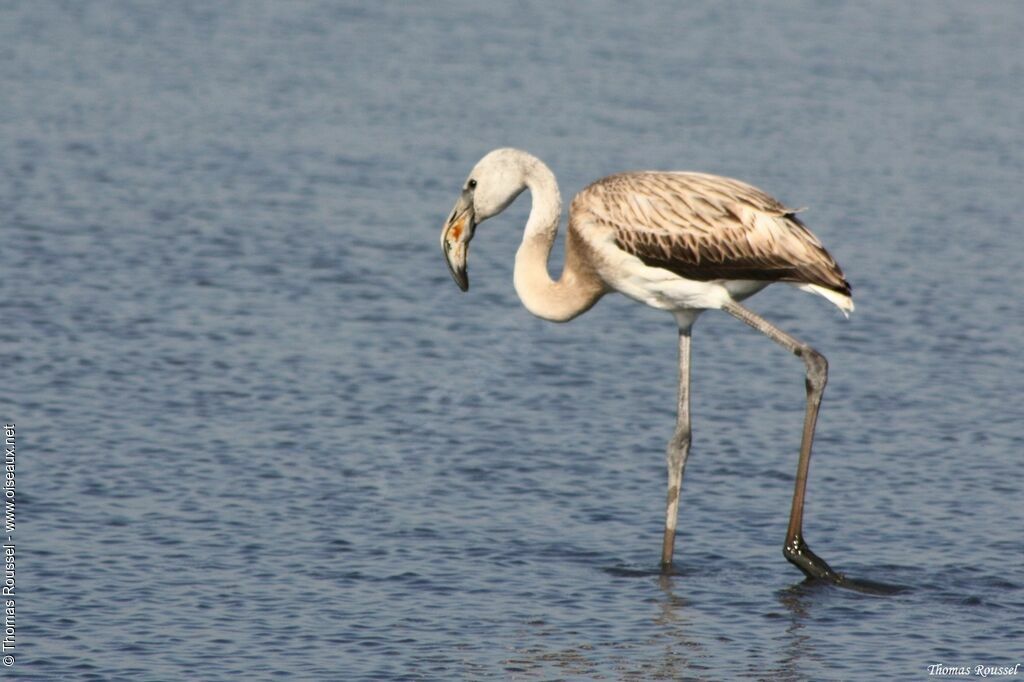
point(263, 435)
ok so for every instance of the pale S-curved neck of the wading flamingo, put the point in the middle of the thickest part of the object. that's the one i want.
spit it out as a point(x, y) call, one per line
point(579, 287)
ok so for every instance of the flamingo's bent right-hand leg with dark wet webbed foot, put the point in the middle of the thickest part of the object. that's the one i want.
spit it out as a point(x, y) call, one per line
point(795, 549)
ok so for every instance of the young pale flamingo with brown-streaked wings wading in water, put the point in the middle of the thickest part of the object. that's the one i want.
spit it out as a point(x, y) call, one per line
point(680, 242)
